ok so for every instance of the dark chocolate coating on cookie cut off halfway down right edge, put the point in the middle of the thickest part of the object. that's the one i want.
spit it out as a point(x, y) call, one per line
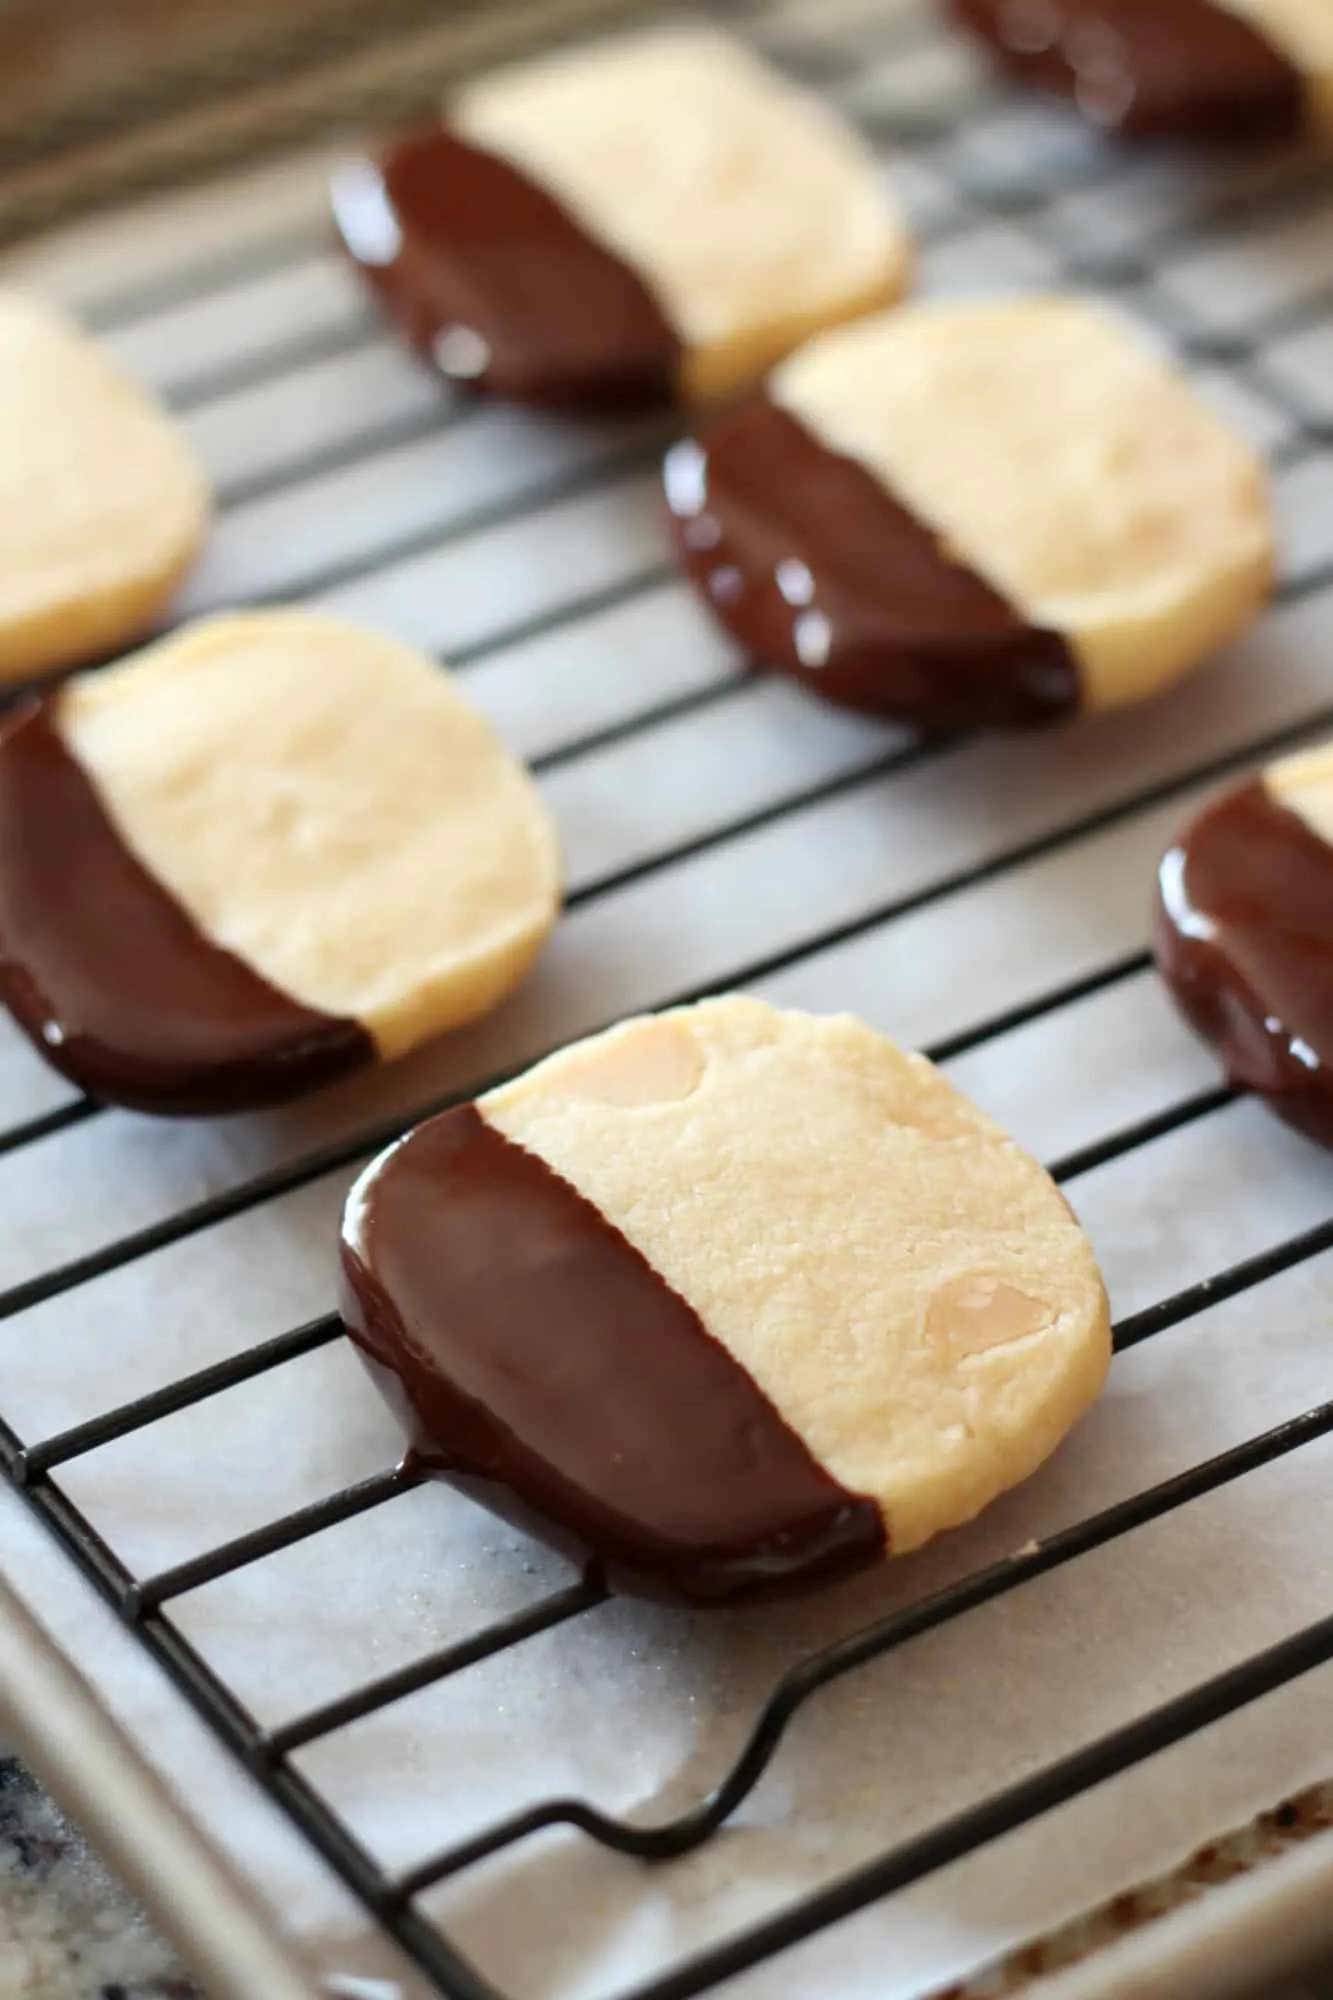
point(1246, 945)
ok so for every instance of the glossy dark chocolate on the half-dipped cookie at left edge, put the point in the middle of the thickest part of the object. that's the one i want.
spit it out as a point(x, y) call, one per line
point(113, 981)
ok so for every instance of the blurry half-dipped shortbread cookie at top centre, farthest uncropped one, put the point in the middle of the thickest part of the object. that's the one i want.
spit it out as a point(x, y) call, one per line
point(659, 215)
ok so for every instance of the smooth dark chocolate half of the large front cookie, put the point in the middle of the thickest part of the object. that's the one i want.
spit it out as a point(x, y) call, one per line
point(541, 1365)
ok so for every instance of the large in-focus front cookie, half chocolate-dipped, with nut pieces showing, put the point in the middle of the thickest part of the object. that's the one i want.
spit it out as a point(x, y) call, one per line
point(726, 1301)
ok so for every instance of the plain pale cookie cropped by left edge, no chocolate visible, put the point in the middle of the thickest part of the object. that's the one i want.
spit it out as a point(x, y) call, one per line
point(101, 501)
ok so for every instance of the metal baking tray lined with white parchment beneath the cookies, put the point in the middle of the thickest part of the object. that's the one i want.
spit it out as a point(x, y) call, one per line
point(1054, 1707)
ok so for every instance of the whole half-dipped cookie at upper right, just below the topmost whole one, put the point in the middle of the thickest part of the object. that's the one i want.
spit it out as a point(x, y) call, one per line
point(976, 515)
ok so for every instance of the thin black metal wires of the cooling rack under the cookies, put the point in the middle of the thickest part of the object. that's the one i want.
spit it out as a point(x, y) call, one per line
point(1040, 197)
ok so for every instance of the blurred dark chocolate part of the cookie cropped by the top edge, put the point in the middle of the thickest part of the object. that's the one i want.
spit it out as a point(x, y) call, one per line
point(1178, 69)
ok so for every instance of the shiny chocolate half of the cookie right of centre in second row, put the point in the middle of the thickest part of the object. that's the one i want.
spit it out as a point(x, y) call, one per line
point(818, 571)
